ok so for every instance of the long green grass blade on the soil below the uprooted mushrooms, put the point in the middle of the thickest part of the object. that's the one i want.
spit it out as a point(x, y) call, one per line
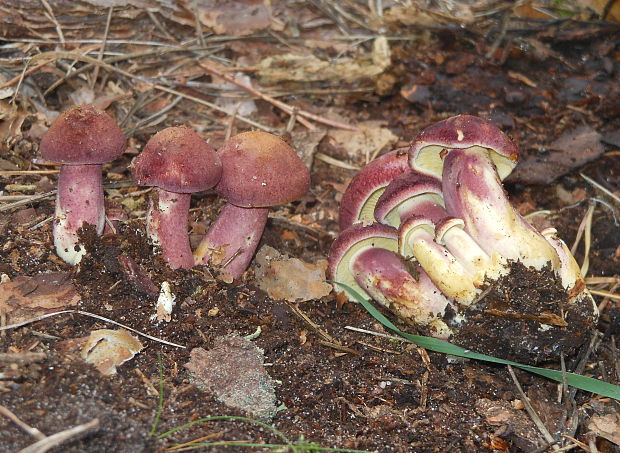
point(433, 344)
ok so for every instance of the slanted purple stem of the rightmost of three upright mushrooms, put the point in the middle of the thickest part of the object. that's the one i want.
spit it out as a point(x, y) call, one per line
point(238, 231)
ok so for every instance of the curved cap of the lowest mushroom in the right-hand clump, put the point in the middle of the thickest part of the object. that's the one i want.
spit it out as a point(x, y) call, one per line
point(350, 243)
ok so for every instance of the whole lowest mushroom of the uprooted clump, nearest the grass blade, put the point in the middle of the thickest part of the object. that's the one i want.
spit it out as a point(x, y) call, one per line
point(364, 258)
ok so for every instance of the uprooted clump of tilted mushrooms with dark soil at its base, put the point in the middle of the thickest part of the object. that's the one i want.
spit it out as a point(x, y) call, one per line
point(431, 233)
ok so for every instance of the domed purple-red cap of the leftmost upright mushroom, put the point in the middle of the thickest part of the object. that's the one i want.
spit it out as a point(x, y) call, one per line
point(83, 135)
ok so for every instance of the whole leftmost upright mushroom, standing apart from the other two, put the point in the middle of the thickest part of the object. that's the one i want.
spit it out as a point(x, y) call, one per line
point(81, 140)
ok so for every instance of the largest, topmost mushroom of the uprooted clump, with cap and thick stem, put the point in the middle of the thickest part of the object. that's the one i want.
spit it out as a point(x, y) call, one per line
point(471, 156)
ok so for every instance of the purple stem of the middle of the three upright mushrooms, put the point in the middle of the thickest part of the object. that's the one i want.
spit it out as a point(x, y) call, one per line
point(166, 226)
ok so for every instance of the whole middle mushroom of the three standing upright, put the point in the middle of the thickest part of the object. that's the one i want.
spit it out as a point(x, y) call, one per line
point(178, 162)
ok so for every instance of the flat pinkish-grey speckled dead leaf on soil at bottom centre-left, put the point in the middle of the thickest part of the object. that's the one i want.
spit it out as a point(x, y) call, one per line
point(234, 372)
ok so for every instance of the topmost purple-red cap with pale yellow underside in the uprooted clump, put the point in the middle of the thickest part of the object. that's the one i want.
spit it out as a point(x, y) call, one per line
point(460, 132)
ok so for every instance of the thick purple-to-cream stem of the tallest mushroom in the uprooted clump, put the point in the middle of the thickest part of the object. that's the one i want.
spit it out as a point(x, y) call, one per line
point(473, 192)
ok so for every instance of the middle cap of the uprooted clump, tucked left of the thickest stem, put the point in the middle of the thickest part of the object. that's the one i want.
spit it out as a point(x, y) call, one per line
point(409, 193)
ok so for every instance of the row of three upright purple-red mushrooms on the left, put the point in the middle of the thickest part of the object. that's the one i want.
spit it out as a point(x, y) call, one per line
point(247, 171)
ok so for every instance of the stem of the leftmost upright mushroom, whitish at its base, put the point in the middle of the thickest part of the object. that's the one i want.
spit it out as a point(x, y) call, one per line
point(79, 201)
